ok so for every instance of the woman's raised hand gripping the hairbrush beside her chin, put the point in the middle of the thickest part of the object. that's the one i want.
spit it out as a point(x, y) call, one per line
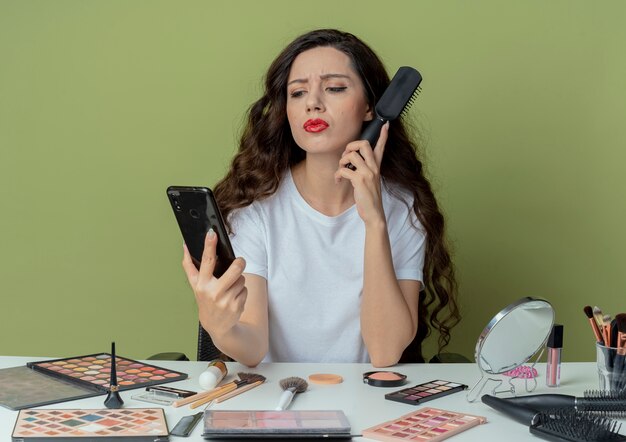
point(366, 178)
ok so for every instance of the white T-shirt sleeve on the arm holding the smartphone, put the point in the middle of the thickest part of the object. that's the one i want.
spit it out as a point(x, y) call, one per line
point(248, 239)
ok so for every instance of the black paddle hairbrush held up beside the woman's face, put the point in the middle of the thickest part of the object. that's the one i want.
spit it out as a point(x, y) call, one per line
point(396, 99)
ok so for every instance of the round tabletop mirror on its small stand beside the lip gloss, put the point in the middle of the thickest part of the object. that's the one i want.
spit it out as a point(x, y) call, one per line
point(512, 338)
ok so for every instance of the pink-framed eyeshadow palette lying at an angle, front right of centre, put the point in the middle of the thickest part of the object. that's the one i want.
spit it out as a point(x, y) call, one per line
point(424, 424)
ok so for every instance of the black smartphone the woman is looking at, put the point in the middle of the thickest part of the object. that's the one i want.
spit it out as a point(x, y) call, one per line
point(196, 212)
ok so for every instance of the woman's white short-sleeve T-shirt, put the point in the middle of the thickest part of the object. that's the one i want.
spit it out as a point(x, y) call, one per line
point(313, 265)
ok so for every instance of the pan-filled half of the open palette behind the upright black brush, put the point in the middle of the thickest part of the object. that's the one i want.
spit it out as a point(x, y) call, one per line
point(94, 371)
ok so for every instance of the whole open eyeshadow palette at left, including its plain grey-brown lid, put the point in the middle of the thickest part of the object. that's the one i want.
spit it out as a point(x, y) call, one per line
point(59, 380)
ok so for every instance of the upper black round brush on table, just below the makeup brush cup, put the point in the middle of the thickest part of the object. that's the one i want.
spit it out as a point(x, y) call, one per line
point(601, 403)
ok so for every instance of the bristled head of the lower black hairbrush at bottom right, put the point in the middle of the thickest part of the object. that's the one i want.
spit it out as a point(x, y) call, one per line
point(578, 427)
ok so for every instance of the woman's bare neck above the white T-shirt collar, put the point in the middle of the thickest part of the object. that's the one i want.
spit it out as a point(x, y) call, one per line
point(315, 181)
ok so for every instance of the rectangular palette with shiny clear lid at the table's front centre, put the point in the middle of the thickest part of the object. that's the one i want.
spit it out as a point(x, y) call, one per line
point(327, 424)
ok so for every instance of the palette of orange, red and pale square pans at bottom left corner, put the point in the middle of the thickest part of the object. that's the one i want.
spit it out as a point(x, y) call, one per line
point(136, 424)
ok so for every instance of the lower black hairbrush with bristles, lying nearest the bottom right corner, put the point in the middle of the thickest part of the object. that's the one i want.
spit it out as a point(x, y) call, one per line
point(559, 425)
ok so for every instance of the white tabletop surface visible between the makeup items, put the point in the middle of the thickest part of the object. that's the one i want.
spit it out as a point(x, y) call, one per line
point(364, 405)
